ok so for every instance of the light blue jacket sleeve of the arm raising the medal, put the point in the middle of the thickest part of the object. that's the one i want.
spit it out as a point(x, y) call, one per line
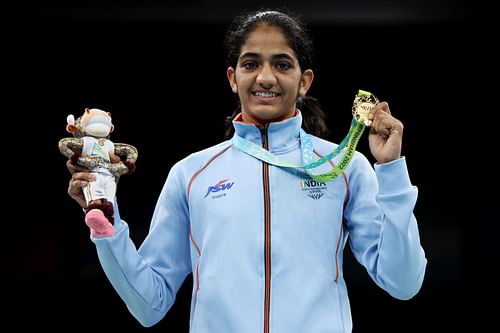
point(383, 229)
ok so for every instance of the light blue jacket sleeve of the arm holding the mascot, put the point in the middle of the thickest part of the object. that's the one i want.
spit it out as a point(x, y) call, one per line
point(148, 279)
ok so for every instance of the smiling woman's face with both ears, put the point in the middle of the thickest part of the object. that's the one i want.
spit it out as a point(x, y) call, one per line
point(267, 77)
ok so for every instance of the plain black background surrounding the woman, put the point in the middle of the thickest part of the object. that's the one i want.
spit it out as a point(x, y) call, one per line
point(159, 68)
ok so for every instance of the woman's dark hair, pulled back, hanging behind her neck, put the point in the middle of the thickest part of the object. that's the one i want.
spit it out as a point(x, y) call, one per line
point(297, 35)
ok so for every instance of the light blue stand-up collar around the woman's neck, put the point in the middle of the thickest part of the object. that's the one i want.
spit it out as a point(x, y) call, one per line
point(282, 136)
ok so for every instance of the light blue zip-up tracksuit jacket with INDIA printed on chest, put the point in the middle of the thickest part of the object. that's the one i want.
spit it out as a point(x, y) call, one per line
point(264, 246)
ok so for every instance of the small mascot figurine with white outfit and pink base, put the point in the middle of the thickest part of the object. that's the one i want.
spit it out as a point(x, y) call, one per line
point(91, 148)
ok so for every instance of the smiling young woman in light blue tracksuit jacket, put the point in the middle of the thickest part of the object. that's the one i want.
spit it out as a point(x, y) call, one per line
point(264, 242)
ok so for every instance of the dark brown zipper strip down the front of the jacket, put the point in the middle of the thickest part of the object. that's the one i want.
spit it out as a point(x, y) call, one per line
point(267, 234)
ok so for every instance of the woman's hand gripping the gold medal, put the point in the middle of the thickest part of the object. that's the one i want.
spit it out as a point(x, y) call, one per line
point(386, 134)
